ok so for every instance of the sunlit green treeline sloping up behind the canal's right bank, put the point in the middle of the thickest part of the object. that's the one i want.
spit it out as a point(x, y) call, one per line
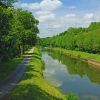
point(82, 39)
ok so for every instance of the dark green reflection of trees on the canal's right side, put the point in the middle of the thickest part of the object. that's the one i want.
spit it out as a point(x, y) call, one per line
point(78, 67)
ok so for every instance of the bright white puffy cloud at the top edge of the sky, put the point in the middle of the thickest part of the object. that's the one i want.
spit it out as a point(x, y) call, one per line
point(47, 5)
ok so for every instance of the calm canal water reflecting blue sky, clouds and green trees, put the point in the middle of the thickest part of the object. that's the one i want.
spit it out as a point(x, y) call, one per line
point(72, 75)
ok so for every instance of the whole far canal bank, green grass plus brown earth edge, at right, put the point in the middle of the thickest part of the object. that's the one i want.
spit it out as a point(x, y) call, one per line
point(93, 59)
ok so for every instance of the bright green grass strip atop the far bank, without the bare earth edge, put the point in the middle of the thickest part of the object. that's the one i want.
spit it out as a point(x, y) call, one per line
point(79, 54)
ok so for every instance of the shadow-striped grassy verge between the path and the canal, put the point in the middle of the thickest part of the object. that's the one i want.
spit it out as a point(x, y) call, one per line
point(33, 86)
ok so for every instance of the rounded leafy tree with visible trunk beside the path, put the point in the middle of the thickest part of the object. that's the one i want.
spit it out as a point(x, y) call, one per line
point(24, 28)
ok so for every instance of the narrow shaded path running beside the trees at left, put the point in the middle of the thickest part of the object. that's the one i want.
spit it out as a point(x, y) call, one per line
point(10, 82)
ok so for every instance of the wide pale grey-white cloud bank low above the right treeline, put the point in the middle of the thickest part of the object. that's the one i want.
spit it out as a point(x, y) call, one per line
point(61, 23)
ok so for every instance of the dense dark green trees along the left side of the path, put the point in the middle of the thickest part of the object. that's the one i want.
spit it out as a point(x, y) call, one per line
point(18, 30)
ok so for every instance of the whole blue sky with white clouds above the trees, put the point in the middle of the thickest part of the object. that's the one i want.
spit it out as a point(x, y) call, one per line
point(56, 16)
